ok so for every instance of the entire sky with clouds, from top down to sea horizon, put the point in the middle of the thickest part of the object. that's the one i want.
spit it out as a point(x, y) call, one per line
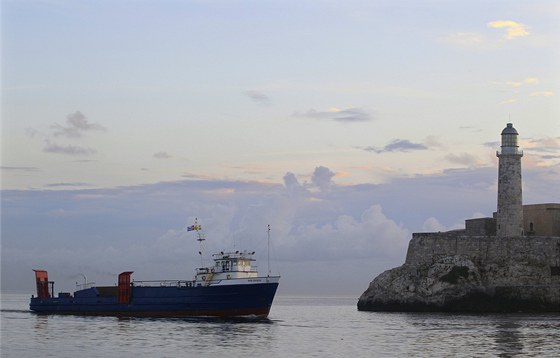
point(345, 125)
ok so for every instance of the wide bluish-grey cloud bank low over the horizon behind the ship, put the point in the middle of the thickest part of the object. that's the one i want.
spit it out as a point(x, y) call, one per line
point(362, 228)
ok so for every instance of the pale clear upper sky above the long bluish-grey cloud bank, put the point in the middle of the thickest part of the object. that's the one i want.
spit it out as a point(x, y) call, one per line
point(228, 89)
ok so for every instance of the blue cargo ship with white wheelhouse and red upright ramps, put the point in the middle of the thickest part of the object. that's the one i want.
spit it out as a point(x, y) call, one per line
point(231, 287)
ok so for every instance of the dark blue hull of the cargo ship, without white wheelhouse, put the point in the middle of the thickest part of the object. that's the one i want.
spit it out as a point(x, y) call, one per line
point(221, 301)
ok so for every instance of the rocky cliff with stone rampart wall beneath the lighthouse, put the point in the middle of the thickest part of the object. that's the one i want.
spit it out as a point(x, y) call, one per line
point(453, 272)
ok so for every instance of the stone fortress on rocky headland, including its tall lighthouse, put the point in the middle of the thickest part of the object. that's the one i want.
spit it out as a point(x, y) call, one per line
point(507, 263)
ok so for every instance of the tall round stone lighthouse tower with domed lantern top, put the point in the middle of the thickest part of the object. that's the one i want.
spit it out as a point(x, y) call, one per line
point(509, 220)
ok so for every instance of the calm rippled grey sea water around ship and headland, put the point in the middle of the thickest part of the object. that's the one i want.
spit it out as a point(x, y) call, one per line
point(297, 327)
